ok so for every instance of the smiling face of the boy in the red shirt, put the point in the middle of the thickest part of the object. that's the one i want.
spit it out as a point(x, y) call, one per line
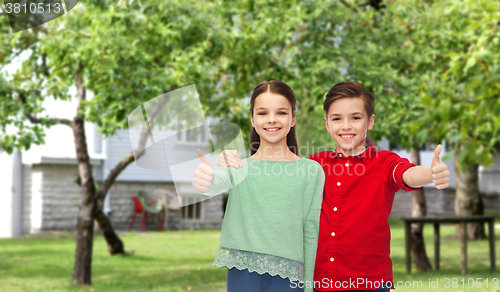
point(347, 122)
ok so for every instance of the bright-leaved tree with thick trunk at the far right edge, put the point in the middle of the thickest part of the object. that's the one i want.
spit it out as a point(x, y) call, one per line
point(461, 93)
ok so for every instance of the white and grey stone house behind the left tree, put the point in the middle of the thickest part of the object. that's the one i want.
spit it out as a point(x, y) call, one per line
point(38, 190)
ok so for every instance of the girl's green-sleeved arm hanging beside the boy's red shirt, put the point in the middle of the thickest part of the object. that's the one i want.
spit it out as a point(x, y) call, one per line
point(311, 228)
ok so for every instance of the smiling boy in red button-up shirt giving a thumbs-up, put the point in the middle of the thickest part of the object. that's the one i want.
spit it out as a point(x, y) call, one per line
point(354, 237)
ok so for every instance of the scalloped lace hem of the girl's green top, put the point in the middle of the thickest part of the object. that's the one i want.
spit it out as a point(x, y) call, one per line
point(260, 263)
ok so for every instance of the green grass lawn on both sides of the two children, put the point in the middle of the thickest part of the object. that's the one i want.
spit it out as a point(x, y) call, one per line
point(182, 261)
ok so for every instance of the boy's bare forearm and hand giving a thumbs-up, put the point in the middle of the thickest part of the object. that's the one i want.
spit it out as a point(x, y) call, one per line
point(438, 173)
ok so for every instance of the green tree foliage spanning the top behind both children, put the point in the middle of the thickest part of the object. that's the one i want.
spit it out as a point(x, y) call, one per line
point(432, 65)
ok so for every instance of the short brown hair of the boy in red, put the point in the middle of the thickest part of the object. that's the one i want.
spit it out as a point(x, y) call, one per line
point(349, 89)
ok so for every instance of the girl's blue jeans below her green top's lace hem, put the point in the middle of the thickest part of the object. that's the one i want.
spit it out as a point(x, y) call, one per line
point(244, 281)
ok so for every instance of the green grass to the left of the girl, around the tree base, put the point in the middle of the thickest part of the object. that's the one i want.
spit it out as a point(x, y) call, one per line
point(162, 261)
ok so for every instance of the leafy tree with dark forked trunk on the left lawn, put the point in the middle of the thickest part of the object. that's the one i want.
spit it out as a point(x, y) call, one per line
point(125, 54)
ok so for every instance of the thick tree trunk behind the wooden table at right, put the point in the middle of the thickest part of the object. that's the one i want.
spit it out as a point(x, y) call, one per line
point(467, 199)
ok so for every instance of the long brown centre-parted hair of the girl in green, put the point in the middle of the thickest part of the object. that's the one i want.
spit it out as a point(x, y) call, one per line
point(276, 87)
